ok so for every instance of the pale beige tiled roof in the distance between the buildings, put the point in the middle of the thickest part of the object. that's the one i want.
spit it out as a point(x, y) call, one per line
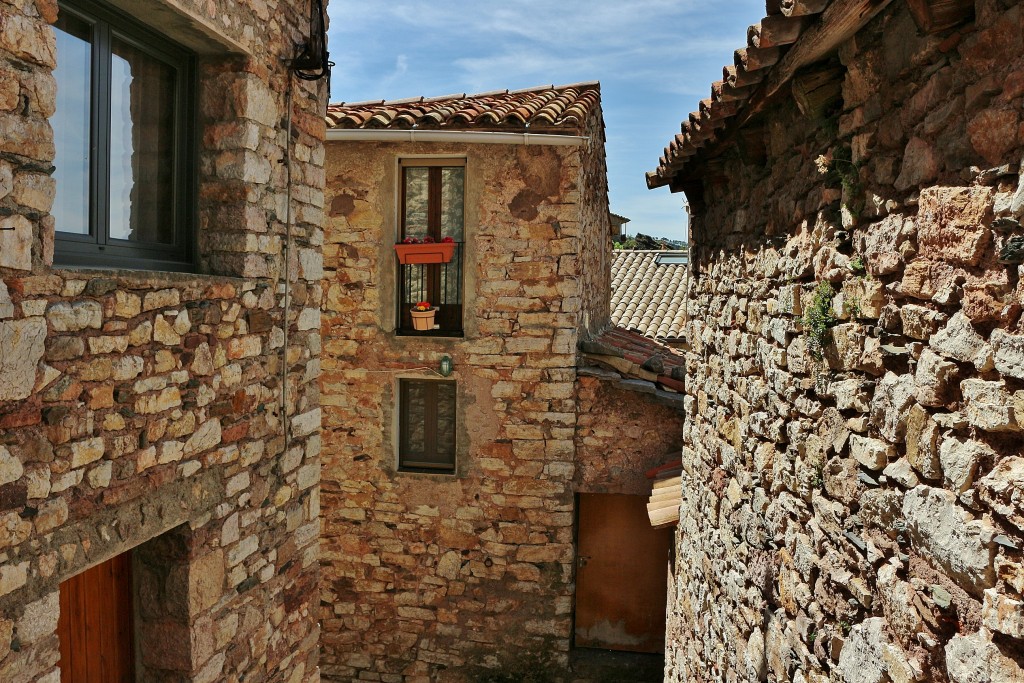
point(647, 295)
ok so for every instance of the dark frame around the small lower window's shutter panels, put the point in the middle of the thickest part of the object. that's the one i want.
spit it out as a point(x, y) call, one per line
point(438, 465)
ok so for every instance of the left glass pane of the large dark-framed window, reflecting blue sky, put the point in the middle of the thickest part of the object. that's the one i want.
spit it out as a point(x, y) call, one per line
point(72, 123)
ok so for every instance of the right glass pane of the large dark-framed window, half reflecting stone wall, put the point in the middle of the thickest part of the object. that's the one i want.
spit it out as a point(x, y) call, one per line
point(142, 195)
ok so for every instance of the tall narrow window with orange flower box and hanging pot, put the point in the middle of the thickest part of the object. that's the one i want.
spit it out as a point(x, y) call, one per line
point(434, 212)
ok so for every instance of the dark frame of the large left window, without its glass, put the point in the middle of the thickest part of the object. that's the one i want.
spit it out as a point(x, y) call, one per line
point(98, 249)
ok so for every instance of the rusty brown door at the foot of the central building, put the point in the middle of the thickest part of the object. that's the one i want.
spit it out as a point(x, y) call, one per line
point(622, 575)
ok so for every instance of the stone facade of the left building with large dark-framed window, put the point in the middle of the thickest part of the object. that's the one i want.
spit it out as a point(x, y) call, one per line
point(143, 410)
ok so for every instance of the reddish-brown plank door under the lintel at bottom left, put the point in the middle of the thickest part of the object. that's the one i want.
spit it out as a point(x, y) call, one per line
point(96, 625)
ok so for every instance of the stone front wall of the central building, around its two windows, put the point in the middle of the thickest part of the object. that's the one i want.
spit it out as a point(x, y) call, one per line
point(435, 578)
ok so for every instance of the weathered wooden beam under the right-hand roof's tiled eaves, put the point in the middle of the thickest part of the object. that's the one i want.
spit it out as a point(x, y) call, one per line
point(838, 24)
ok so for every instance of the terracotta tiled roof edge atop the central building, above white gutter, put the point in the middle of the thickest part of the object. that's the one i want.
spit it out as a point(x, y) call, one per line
point(546, 108)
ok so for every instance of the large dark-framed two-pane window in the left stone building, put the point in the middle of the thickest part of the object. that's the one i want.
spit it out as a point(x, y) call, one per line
point(122, 131)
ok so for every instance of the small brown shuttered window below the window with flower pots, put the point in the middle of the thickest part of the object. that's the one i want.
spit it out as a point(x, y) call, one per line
point(426, 426)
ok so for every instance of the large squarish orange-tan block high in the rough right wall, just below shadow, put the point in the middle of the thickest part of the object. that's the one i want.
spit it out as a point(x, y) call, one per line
point(953, 224)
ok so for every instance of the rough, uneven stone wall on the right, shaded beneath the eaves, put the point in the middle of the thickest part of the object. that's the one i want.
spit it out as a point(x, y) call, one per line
point(859, 518)
